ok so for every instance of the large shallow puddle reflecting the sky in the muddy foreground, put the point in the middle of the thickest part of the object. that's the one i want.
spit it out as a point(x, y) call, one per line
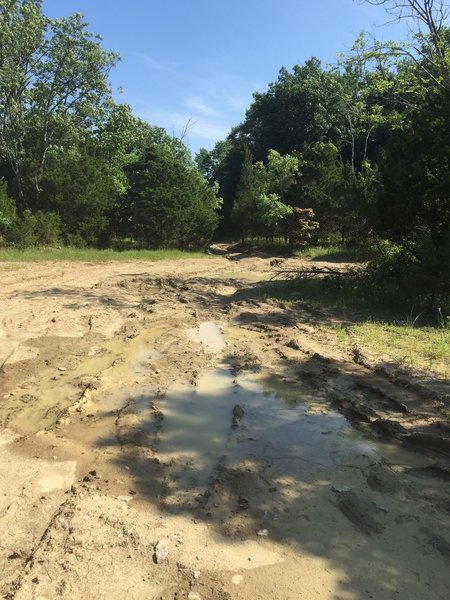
point(198, 424)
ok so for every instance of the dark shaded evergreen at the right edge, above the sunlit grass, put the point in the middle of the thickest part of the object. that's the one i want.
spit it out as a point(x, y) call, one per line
point(414, 199)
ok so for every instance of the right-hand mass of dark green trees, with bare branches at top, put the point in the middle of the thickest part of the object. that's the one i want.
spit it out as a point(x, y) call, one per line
point(357, 152)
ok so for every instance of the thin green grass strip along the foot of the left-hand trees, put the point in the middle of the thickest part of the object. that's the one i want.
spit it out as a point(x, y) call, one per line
point(92, 255)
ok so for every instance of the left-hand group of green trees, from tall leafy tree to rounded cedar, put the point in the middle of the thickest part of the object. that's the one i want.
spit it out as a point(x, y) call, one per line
point(76, 167)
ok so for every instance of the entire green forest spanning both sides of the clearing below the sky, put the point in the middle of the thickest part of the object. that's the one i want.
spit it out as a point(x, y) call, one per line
point(356, 153)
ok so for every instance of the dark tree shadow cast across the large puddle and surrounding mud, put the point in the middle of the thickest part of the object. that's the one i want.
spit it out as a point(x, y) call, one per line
point(339, 484)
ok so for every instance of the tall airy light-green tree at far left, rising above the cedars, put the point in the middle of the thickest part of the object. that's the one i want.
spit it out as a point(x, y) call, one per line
point(53, 84)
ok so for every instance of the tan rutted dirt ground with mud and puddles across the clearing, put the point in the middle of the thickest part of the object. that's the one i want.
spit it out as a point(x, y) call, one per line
point(169, 430)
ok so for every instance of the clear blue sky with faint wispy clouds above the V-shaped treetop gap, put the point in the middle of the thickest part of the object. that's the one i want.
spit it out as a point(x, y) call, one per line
point(199, 61)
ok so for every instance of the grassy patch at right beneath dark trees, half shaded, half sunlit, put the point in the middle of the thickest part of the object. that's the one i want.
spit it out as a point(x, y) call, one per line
point(374, 316)
